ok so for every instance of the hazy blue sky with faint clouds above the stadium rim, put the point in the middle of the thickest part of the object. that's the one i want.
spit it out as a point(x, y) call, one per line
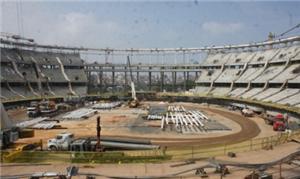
point(148, 24)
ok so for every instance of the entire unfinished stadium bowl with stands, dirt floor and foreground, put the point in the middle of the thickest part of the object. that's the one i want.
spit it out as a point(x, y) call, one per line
point(235, 114)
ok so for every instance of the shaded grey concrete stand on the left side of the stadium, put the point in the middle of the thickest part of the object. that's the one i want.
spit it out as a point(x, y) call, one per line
point(27, 74)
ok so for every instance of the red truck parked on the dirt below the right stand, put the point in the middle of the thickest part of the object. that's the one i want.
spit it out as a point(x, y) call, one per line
point(278, 121)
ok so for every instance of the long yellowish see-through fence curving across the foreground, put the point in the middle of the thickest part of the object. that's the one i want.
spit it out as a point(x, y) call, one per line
point(143, 156)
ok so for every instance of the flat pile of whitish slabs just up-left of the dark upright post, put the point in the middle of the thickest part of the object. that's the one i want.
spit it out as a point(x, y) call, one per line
point(81, 113)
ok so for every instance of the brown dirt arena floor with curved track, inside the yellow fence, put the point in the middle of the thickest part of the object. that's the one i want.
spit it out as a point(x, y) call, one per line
point(125, 122)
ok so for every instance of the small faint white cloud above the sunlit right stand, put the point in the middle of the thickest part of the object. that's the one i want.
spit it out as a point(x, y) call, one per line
point(221, 28)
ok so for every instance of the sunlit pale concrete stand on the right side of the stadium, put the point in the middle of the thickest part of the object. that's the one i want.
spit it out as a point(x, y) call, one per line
point(271, 74)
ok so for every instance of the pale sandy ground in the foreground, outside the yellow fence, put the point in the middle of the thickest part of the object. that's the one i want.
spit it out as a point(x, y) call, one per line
point(157, 169)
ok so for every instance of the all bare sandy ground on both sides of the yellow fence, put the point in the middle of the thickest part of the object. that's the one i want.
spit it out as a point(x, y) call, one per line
point(116, 122)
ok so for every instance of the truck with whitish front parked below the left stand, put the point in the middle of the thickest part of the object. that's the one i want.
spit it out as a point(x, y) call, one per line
point(42, 108)
